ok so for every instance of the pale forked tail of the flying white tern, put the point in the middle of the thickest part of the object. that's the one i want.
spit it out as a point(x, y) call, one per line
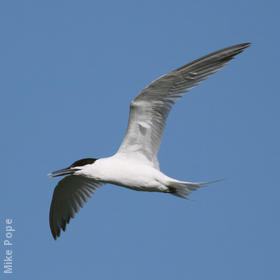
point(183, 189)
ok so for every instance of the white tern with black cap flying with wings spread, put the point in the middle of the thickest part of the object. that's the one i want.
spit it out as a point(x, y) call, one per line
point(135, 165)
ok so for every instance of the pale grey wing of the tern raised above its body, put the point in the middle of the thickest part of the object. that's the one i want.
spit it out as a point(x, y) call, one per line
point(149, 110)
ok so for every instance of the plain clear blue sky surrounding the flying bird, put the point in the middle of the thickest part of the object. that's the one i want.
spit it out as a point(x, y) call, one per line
point(69, 70)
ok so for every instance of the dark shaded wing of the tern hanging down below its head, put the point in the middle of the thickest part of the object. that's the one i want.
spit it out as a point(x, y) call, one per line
point(70, 194)
